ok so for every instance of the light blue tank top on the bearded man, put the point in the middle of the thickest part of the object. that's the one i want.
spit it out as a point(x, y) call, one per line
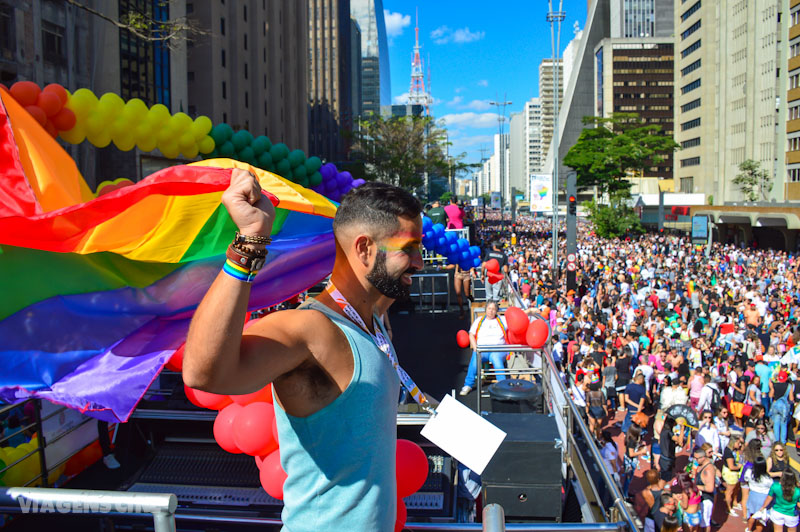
point(340, 461)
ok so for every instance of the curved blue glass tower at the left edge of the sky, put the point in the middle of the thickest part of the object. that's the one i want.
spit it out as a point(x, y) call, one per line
point(376, 86)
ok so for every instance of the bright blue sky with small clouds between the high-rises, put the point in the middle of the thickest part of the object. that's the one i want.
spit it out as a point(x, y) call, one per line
point(479, 51)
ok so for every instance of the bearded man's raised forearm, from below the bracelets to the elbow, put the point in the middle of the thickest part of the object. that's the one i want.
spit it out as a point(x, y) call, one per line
point(215, 334)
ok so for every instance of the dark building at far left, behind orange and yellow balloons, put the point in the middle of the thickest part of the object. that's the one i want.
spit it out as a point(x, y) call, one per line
point(56, 42)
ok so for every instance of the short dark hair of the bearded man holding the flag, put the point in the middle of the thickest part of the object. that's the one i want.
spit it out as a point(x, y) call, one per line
point(376, 205)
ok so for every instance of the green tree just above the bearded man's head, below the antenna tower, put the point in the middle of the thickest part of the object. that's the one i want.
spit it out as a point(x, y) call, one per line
point(401, 150)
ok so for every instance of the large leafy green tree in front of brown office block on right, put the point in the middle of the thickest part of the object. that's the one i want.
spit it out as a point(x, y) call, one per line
point(607, 153)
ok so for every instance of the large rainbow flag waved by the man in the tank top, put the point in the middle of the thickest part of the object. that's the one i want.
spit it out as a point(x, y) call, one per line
point(98, 293)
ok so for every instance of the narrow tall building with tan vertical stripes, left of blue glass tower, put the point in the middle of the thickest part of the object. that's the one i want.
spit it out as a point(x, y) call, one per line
point(329, 76)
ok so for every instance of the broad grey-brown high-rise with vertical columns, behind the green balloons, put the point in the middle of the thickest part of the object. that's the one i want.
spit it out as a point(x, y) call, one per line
point(252, 71)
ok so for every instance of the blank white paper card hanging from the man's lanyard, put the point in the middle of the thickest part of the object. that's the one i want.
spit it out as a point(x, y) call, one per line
point(463, 434)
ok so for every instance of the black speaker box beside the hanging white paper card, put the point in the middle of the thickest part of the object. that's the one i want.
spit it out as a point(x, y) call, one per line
point(524, 476)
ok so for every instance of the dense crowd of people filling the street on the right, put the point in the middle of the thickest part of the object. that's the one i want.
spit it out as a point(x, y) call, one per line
point(685, 365)
